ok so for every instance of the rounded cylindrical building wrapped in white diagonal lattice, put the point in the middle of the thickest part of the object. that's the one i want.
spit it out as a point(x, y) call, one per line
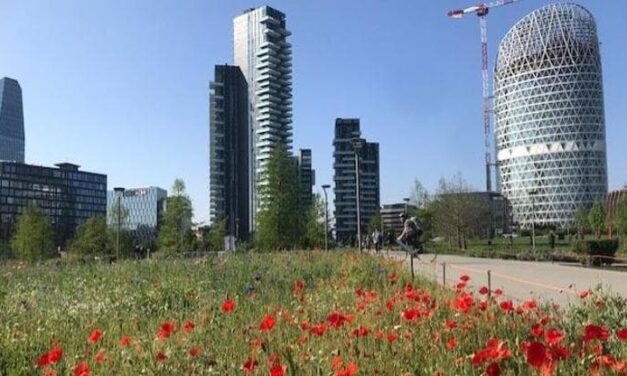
point(550, 126)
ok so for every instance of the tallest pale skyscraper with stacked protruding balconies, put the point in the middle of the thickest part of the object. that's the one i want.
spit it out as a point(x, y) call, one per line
point(263, 54)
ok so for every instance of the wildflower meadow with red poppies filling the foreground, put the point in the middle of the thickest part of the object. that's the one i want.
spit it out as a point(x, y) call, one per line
point(299, 313)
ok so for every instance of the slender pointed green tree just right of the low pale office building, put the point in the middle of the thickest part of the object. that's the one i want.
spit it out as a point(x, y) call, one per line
point(175, 235)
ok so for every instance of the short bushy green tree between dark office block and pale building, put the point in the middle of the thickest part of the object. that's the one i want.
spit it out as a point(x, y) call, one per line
point(91, 238)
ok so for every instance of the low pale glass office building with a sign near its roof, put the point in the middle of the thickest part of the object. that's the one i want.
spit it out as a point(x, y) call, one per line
point(143, 208)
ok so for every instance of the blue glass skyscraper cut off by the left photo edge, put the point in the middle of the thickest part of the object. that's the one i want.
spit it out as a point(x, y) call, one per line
point(11, 121)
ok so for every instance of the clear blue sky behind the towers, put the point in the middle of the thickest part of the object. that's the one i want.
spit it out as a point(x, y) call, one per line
point(122, 87)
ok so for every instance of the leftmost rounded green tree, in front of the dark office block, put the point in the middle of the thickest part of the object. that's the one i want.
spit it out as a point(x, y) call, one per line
point(34, 235)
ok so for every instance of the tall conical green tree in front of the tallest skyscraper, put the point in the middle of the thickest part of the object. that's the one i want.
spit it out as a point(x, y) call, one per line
point(279, 221)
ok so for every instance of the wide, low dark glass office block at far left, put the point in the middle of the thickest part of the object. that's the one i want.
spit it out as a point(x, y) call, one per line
point(66, 195)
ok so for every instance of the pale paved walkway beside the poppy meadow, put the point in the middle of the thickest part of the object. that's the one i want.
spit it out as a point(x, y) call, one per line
point(521, 280)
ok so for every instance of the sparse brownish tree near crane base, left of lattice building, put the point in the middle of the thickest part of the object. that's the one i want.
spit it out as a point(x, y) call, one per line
point(456, 210)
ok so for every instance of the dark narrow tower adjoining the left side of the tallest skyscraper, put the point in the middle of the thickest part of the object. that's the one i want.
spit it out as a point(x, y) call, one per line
point(229, 163)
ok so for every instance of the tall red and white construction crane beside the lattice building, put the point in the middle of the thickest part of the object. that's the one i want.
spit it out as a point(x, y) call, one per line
point(481, 11)
